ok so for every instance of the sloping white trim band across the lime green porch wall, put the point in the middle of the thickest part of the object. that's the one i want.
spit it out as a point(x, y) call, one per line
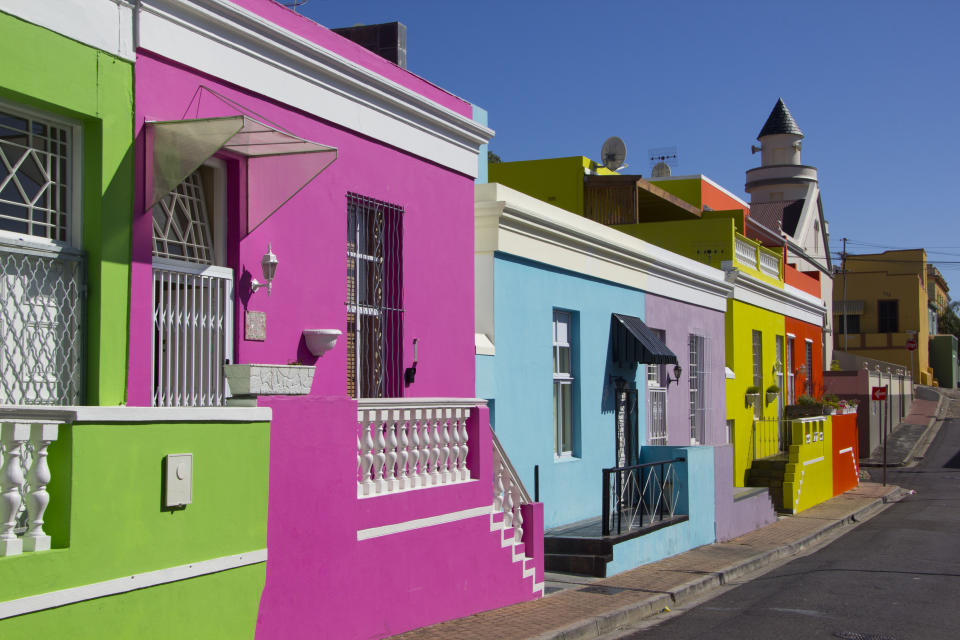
point(52, 599)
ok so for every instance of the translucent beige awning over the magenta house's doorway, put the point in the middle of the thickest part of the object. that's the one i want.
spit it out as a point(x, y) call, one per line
point(279, 164)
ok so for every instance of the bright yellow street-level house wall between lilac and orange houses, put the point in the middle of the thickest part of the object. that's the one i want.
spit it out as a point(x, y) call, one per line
point(741, 320)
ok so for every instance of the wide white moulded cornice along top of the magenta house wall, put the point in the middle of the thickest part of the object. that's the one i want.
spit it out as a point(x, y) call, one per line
point(239, 46)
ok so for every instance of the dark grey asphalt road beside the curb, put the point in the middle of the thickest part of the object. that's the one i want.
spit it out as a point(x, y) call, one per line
point(895, 577)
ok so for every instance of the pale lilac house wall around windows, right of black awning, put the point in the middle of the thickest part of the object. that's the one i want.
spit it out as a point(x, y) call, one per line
point(679, 320)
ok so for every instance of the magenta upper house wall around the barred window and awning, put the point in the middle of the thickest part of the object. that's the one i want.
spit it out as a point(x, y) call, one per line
point(308, 234)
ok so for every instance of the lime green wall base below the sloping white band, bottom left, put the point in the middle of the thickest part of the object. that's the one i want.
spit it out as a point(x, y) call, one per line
point(217, 606)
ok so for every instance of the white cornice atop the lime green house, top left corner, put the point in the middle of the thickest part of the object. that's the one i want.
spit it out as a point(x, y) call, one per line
point(102, 24)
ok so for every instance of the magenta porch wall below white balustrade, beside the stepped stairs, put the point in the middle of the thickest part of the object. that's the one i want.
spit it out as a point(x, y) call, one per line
point(322, 580)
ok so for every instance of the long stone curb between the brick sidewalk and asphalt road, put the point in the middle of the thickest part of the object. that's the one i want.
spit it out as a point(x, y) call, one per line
point(605, 623)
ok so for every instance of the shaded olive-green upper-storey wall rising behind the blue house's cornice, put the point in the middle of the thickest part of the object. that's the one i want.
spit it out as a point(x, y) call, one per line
point(557, 181)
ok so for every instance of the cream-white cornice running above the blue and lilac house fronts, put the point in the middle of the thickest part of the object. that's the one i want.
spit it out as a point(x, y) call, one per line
point(511, 222)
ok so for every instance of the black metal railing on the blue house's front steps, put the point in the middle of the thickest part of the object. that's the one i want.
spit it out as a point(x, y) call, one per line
point(639, 495)
